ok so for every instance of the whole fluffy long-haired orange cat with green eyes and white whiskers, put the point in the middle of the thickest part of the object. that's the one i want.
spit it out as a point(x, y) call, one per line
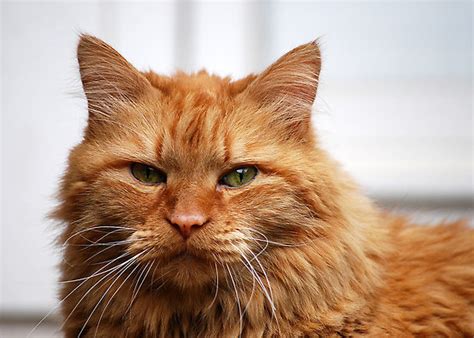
point(199, 206)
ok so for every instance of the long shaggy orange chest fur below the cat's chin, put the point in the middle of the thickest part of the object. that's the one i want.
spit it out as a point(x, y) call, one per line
point(168, 314)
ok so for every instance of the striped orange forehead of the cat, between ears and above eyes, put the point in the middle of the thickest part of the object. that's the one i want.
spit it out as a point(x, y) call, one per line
point(195, 121)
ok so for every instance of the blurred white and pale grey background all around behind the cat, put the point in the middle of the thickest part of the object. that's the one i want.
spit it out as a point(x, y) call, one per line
point(394, 104)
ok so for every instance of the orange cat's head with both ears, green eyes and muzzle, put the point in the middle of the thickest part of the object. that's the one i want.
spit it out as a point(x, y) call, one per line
point(193, 173)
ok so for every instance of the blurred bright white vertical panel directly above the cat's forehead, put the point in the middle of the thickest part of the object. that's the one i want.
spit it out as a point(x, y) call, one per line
point(225, 37)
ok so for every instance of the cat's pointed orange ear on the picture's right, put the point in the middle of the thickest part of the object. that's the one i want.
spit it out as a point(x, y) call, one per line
point(287, 89)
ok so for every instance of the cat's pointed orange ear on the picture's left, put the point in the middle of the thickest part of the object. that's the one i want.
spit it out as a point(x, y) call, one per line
point(107, 78)
